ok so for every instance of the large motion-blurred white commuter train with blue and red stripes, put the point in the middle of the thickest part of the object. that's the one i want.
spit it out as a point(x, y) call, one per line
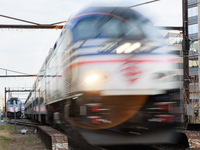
point(111, 77)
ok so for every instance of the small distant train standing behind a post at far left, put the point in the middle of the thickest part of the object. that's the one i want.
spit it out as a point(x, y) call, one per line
point(10, 107)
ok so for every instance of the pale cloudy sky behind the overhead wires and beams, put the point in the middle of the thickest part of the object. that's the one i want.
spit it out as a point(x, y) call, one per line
point(24, 50)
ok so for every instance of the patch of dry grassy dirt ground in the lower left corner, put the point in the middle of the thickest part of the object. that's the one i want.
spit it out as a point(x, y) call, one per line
point(14, 140)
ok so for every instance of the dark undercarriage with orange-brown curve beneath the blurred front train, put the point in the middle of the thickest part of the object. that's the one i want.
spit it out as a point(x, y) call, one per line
point(114, 120)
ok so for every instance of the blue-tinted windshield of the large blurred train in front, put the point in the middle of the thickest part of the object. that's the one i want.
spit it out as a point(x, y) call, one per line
point(112, 27)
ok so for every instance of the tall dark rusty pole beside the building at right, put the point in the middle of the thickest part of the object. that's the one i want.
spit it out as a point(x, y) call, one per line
point(185, 59)
